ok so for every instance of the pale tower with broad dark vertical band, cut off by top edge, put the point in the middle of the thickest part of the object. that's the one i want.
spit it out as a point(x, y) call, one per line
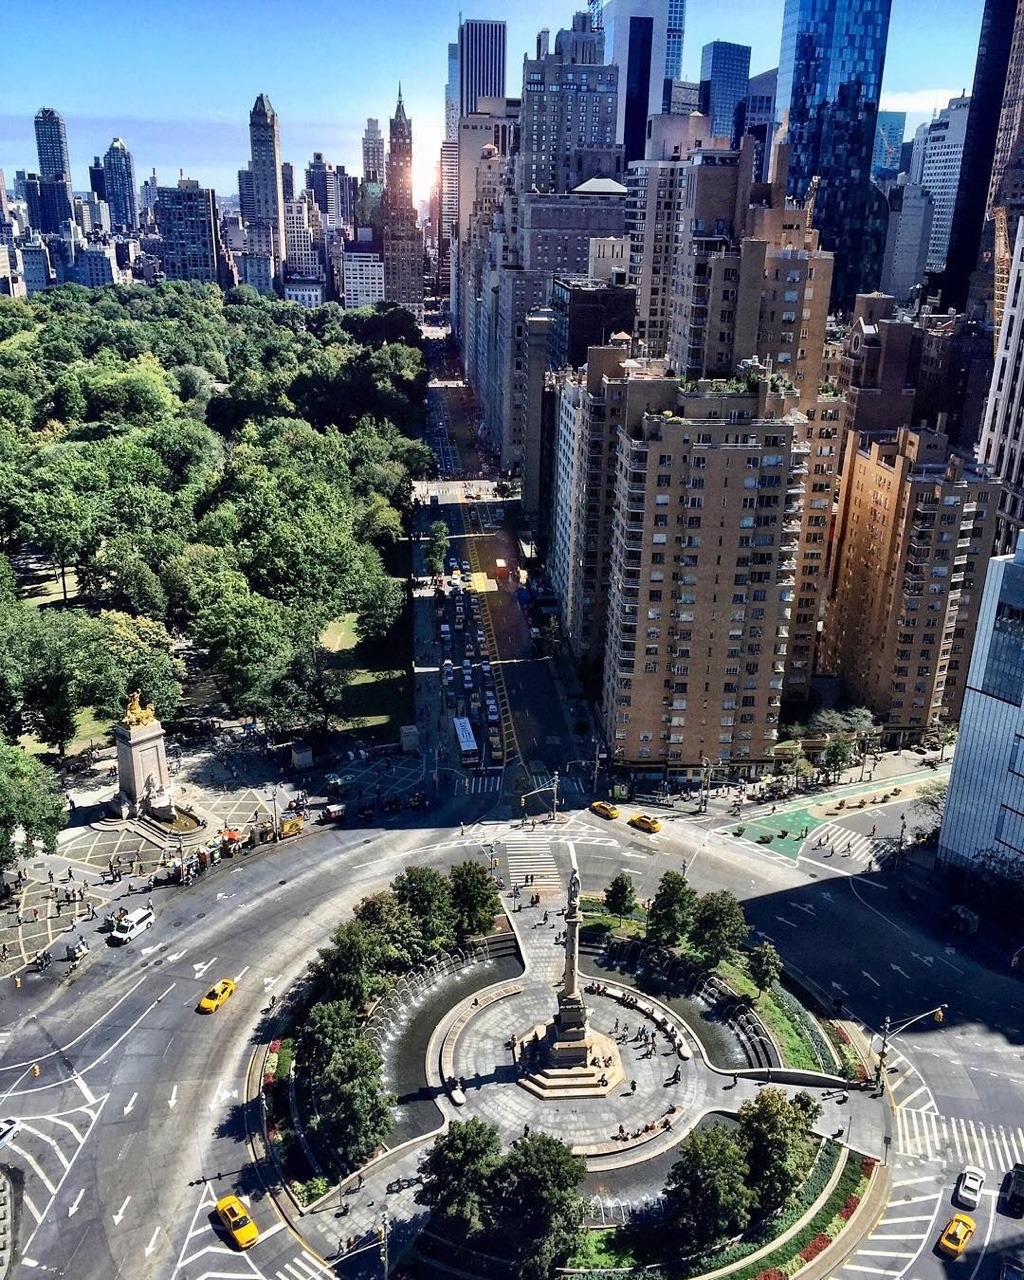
point(637, 43)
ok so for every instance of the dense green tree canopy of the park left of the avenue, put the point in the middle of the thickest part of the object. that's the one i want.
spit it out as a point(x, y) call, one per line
point(230, 465)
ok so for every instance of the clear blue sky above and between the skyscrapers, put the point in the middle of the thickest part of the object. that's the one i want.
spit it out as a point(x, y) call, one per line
point(177, 80)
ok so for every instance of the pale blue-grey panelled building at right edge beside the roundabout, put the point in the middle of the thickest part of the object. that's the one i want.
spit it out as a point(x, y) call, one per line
point(982, 825)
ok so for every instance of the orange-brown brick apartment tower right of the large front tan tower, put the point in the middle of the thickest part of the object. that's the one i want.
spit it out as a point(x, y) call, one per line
point(912, 545)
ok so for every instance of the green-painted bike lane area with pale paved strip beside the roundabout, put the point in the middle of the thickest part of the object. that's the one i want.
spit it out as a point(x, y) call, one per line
point(799, 821)
